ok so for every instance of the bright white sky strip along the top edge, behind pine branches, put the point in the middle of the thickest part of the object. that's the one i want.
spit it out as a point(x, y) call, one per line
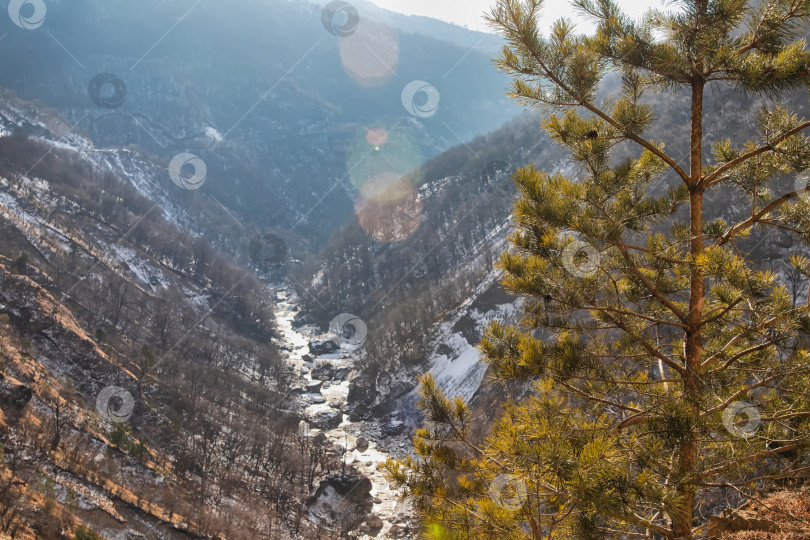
point(468, 12)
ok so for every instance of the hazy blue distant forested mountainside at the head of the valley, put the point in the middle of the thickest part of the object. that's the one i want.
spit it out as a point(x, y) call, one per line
point(276, 101)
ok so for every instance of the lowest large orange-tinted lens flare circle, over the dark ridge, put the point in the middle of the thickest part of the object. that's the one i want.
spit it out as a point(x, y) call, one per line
point(389, 208)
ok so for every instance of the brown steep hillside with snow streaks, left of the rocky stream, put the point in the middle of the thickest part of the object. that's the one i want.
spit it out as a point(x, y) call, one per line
point(146, 389)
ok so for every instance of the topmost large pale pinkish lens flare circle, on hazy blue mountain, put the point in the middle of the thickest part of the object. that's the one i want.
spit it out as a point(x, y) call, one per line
point(370, 55)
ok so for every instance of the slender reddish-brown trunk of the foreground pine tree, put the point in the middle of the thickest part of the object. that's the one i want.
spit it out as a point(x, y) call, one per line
point(688, 451)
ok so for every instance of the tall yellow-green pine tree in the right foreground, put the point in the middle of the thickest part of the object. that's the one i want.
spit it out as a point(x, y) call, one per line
point(670, 369)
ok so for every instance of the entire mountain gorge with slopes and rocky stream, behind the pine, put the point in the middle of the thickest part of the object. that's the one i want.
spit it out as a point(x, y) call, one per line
point(233, 237)
